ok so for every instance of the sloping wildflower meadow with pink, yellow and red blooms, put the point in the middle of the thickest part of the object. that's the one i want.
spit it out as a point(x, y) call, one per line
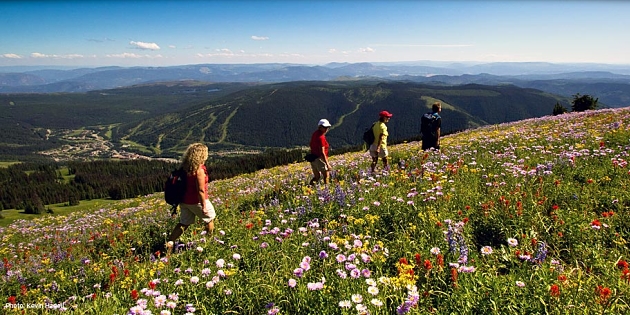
point(529, 217)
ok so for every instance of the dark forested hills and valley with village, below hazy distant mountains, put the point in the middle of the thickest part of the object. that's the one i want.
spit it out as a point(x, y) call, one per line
point(161, 119)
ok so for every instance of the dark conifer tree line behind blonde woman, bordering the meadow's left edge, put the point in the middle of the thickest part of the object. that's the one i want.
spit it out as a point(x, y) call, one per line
point(31, 186)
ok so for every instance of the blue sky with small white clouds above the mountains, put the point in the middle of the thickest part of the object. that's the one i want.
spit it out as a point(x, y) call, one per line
point(163, 33)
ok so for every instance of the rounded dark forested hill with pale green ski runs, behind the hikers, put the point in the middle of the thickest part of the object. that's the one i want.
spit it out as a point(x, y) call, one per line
point(284, 115)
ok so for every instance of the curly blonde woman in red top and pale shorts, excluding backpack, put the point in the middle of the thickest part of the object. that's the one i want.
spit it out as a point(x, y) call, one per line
point(195, 202)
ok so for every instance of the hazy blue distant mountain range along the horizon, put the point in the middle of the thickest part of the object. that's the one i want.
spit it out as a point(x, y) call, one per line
point(609, 83)
